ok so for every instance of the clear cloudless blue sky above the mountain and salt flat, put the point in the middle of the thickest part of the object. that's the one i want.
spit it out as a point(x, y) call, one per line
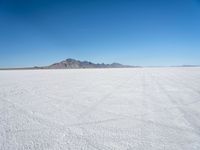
point(135, 32)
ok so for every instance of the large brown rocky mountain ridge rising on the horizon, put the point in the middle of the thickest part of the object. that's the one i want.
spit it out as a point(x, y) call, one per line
point(76, 64)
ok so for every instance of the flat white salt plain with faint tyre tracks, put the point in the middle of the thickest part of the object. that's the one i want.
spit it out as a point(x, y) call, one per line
point(119, 109)
